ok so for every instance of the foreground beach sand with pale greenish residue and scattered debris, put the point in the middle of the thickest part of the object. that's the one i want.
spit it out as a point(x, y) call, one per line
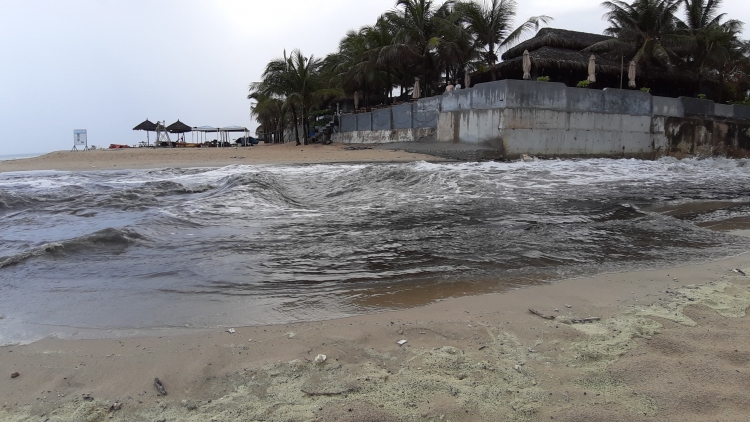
point(671, 345)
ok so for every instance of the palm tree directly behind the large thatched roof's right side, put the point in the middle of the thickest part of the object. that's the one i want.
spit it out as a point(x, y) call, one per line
point(645, 31)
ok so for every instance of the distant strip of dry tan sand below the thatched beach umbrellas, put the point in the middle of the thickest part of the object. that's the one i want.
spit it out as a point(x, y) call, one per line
point(140, 158)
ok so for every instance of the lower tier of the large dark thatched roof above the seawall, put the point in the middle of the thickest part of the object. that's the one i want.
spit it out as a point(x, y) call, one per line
point(561, 58)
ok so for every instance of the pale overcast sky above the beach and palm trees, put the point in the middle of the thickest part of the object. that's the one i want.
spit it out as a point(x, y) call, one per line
point(106, 65)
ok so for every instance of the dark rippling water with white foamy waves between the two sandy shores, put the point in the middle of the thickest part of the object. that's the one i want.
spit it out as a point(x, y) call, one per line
point(87, 254)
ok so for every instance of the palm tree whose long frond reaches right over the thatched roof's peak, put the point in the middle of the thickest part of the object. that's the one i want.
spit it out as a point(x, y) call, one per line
point(491, 23)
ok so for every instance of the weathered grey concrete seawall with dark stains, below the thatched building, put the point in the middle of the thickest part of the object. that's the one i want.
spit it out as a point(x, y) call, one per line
point(506, 119)
